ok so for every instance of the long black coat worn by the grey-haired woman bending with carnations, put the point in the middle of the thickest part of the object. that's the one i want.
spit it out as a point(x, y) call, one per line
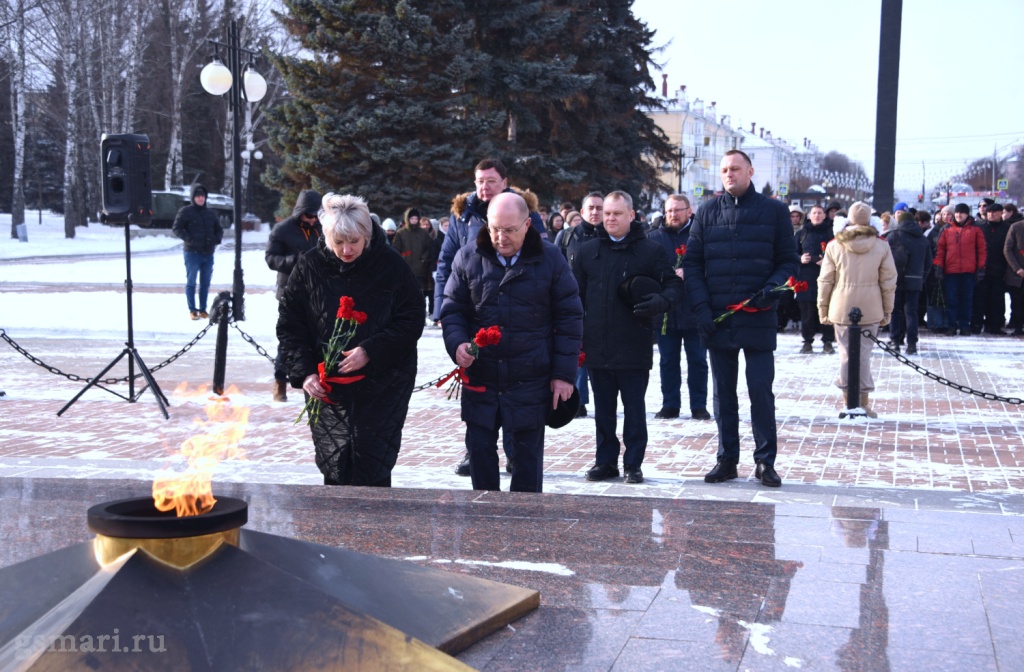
point(358, 438)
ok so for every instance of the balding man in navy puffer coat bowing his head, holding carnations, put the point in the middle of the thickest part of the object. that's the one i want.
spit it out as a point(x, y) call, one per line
point(519, 282)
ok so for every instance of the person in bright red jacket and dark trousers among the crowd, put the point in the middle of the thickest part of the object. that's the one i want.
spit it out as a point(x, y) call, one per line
point(959, 264)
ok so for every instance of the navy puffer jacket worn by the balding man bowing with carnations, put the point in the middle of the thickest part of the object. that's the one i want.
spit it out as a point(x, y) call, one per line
point(536, 304)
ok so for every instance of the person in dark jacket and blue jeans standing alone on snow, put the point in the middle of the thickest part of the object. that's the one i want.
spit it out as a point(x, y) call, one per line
point(201, 231)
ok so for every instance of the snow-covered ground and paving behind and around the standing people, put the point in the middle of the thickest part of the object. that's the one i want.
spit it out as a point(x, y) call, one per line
point(71, 291)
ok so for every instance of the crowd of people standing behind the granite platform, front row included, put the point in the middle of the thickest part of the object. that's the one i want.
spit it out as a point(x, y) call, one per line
point(580, 299)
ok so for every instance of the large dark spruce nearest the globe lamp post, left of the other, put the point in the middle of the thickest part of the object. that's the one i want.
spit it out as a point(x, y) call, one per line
point(380, 109)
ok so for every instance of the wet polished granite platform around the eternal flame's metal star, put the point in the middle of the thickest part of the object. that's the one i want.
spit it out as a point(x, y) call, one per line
point(631, 584)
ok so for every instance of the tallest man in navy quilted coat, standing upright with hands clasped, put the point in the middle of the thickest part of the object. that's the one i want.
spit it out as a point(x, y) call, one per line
point(741, 247)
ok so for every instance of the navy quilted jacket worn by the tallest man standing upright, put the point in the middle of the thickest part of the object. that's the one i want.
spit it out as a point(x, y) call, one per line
point(738, 247)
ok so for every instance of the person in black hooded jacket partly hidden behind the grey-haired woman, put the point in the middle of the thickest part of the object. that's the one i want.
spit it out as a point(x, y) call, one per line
point(289, 240)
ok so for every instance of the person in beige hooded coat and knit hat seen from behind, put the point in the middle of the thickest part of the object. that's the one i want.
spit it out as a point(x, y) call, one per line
point(858, 272)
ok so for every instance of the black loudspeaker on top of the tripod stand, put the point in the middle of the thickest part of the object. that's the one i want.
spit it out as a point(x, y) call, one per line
point(127, 183)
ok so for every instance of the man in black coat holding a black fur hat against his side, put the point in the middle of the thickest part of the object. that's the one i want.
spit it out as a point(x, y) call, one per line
point(619, 329)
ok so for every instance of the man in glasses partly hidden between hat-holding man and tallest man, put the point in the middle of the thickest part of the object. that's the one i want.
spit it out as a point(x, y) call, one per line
point(679, 330)
